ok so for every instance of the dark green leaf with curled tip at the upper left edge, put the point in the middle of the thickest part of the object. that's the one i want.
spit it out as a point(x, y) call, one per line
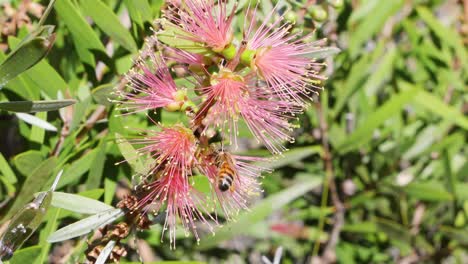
point(30, 51)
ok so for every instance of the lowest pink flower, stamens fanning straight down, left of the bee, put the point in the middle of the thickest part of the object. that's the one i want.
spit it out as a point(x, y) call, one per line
point(172, 194)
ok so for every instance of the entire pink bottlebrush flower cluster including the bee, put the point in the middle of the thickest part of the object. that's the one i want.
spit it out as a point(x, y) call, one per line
point(262, 79)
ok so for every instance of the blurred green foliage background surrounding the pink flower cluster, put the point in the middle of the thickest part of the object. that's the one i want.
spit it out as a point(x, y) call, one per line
point(378, 172)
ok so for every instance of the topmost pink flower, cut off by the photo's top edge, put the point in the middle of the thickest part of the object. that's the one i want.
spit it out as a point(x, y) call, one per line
point(205, 22)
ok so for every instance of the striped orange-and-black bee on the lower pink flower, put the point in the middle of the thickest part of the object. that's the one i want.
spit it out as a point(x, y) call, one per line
point(227, 172)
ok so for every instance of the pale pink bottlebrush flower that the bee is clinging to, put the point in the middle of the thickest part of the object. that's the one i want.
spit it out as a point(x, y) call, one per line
point(245, 185)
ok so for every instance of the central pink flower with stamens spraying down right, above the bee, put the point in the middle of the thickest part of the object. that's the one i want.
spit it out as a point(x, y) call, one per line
point(230, 97)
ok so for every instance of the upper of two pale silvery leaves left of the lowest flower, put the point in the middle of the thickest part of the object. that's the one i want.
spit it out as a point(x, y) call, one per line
point(78, 203)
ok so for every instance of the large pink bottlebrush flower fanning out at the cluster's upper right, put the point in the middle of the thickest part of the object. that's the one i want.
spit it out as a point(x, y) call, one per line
point(281, 58)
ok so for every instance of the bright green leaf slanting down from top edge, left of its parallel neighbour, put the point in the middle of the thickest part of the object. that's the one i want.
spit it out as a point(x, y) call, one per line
point(84, 38)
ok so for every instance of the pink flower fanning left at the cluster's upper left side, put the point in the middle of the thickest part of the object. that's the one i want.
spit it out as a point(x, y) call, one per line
point(151, 86)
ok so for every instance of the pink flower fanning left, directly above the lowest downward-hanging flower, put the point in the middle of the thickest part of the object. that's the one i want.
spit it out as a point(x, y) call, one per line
point(173, 147)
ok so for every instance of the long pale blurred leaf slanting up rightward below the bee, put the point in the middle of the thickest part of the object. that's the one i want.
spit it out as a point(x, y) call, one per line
point(245, 222)
